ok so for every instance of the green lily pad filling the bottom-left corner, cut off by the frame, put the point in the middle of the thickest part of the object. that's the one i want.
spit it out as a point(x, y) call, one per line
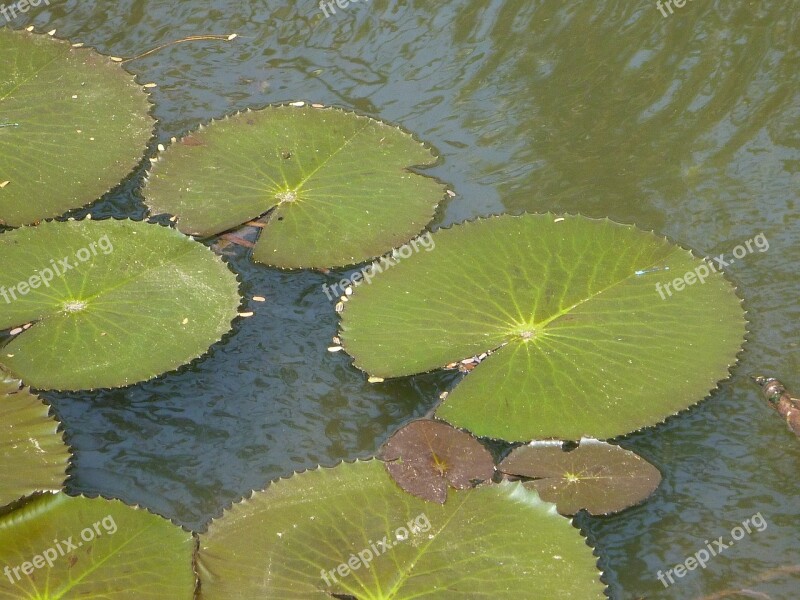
point(59, 547)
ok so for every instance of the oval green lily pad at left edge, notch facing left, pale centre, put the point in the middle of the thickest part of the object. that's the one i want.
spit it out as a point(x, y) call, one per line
point(137, 300)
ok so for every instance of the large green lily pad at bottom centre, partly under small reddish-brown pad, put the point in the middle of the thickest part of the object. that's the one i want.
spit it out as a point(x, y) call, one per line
point(350, 532)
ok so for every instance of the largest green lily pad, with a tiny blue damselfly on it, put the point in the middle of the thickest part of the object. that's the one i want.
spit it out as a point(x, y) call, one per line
point(584, 344)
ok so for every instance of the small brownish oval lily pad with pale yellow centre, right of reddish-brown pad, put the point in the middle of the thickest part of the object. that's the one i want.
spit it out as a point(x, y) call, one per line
point(596, 476)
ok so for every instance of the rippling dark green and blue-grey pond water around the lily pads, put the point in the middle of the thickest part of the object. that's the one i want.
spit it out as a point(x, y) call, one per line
point(688, 125)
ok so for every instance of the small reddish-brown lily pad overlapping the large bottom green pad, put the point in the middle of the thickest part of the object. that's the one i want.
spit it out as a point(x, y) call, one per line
point(426, 457)
